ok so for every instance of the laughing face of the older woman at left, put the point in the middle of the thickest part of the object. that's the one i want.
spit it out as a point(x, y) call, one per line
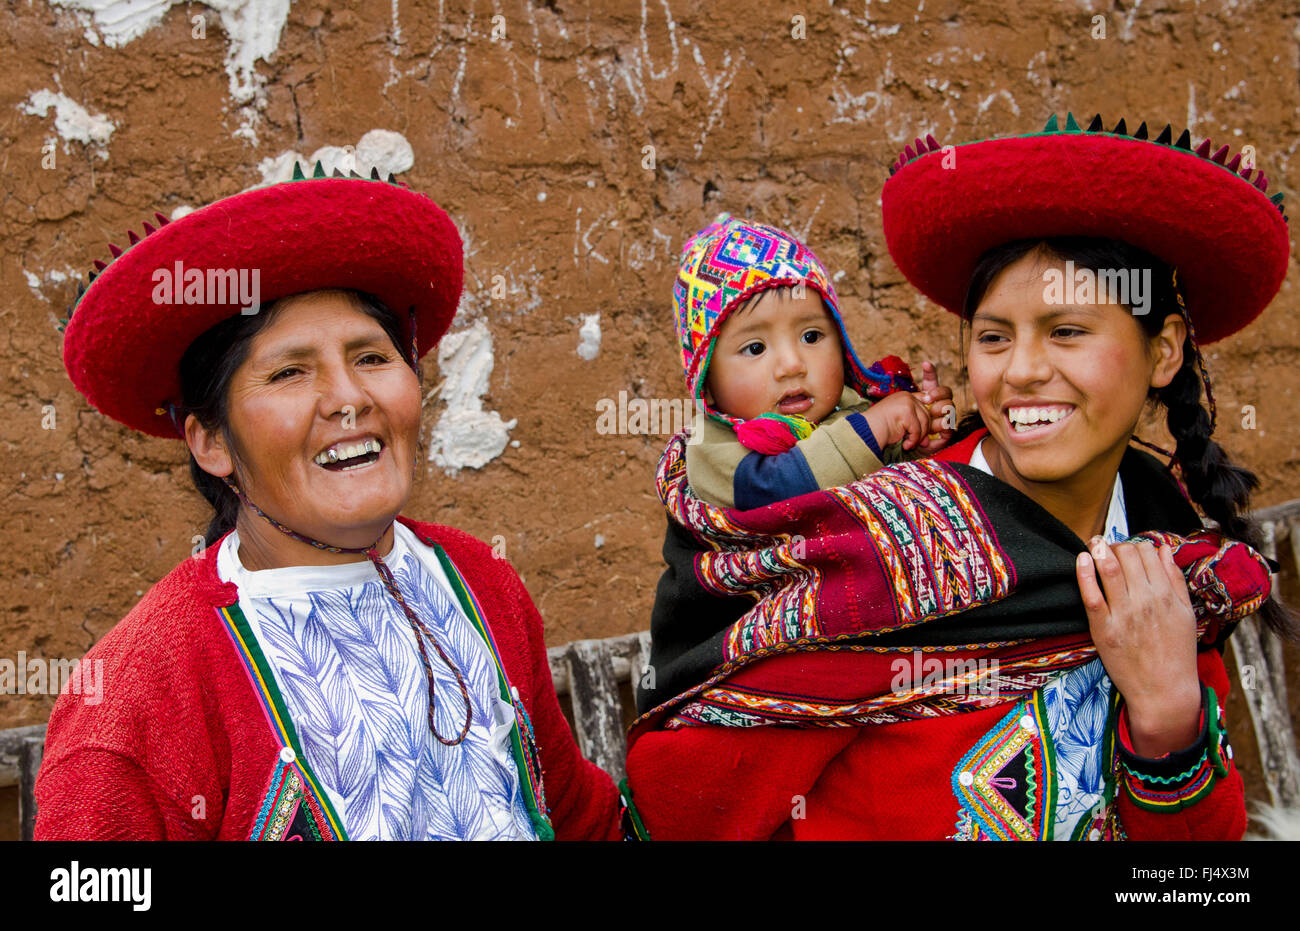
point(324, 376)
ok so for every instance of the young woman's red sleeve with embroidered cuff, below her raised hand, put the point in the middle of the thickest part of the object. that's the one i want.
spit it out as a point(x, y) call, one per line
point(1191, 795)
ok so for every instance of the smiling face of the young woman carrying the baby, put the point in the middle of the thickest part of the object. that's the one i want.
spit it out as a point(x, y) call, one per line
point(1061, 387)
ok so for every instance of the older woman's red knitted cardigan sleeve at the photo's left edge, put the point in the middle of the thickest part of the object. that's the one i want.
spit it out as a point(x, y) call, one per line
point(144, 759)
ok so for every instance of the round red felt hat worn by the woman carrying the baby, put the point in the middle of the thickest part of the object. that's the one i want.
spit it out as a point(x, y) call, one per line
point(1191, 209)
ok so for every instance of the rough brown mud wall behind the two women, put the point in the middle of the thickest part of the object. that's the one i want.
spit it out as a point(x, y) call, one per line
point(536, 145)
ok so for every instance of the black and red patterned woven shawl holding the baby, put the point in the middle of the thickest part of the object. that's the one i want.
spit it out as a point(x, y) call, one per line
point(933, 562)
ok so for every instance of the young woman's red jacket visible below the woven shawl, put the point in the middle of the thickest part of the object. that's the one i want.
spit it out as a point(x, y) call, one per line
point(896, 782)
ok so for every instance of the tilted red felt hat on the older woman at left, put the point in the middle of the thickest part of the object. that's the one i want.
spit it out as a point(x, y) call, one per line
point(129, 330)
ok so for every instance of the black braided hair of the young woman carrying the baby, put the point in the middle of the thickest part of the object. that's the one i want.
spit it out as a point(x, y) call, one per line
point(1217, 486)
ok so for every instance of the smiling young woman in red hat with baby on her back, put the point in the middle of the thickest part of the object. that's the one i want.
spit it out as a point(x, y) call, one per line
point(968, 648)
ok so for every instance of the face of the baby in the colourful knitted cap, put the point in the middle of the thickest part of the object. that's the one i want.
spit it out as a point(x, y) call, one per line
point(781, 354)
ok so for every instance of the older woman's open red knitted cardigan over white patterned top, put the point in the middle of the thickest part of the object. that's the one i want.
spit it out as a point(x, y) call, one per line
point(180, 748)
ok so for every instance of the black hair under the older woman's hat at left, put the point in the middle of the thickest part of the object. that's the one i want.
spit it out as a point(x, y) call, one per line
point(207, 369)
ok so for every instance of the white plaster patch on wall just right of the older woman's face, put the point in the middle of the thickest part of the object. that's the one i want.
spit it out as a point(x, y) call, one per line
point(466, 436)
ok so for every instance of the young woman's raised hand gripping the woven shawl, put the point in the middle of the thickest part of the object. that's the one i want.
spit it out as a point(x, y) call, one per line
point(1142, 622)
